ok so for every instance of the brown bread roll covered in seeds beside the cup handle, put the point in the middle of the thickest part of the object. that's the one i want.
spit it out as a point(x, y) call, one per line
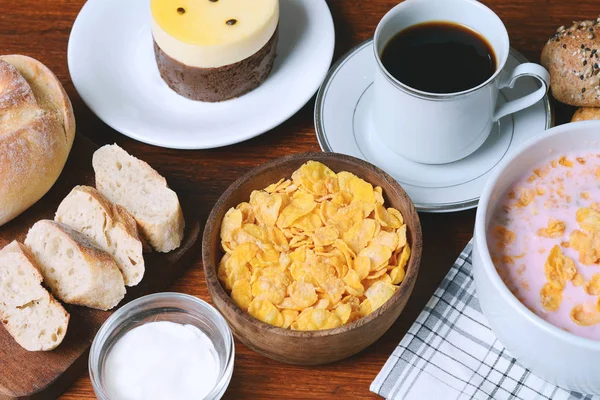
point(571, 56)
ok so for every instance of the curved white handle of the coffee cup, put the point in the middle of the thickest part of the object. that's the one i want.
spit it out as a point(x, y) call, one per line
point(526, 69)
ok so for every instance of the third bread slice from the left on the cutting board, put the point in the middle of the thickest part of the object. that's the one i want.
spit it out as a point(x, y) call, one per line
point(109, 225)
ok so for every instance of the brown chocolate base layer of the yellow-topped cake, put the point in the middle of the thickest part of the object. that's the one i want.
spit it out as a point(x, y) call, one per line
point(218, 84)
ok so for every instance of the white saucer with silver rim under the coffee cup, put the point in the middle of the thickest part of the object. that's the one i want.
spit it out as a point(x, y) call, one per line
point(342, 126)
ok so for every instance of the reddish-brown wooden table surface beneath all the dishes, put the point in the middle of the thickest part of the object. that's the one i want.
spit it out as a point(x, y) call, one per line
point(41, 29)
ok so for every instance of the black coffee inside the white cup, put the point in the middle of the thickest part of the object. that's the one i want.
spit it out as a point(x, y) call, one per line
point(439, 57)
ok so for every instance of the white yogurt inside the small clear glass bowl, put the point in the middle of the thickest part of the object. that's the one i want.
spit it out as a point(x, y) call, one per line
point(162, 360)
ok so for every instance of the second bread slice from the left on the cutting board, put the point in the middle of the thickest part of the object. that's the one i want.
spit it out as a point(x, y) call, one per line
point(75, 269)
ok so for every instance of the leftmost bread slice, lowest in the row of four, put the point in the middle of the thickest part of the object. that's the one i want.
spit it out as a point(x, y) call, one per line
point(30, 314)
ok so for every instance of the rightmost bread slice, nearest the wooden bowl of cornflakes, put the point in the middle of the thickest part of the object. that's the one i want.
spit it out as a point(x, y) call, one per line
point(133, 184)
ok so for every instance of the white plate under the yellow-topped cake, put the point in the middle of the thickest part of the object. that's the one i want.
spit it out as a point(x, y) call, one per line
point(112, 65)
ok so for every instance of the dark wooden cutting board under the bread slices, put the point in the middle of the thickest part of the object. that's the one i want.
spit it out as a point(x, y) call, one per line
point(37, 375)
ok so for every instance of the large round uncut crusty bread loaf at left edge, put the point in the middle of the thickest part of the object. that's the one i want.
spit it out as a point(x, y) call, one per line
point(37, 128)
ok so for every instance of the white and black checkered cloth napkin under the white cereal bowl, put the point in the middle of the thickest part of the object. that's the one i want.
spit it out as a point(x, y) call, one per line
point(450, 352)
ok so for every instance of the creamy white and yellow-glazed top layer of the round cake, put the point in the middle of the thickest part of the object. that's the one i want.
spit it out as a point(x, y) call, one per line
point(211, 34)
